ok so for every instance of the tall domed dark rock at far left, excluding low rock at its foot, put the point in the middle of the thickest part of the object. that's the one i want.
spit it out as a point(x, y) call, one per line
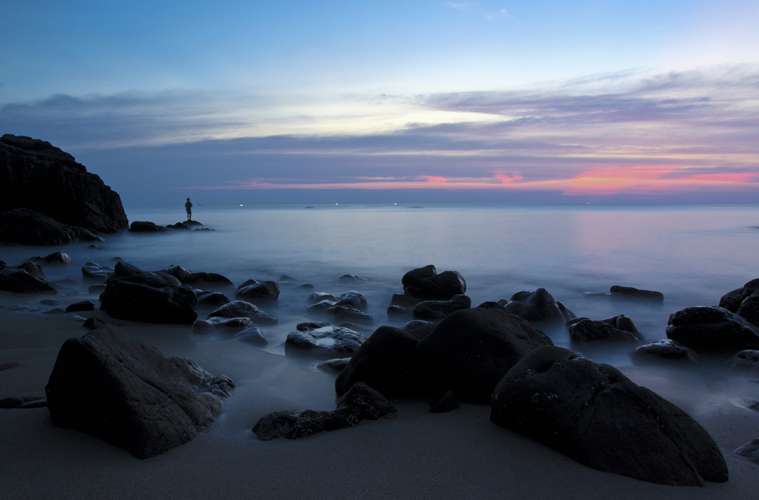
point(40, 177)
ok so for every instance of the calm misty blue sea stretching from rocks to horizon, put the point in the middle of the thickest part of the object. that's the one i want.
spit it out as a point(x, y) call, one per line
point(692, 254)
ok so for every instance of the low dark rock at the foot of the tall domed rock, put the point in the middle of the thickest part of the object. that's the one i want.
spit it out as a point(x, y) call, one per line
point(26, 227)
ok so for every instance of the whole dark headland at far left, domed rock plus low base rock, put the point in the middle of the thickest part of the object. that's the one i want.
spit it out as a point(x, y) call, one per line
point(47, 198)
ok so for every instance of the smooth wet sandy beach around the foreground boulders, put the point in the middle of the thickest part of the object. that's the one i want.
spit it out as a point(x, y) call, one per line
point(460, 454)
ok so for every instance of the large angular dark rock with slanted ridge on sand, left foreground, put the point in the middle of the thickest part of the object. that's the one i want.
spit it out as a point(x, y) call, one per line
point(126, 393)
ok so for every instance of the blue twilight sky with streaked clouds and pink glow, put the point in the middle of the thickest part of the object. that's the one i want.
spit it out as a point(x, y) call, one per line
point(294, 102)
